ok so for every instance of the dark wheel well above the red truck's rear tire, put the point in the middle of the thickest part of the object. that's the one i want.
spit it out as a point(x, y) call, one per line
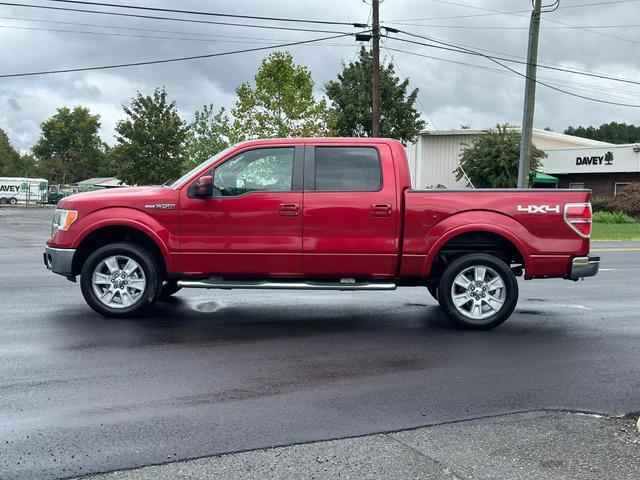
point(477, 242)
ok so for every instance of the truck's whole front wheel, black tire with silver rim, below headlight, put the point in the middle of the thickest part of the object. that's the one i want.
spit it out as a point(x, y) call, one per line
point(120, 280)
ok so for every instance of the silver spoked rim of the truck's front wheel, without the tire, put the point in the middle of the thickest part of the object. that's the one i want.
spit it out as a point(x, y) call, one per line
point(118, 281)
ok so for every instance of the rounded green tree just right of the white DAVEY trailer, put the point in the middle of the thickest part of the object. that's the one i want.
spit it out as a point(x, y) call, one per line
point(69, 148)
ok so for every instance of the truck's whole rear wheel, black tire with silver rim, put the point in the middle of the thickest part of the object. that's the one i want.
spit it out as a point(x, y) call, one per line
point(478, 291)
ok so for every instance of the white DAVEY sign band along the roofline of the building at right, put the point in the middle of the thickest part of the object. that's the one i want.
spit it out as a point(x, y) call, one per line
point(592, 160)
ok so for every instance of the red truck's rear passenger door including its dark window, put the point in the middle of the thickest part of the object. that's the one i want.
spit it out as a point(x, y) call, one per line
point(350, 215)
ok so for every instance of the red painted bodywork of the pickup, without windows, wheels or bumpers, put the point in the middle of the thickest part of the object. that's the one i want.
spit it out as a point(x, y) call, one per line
point(394, 232)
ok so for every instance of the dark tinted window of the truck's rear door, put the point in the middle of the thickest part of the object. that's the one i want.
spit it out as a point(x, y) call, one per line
point(347, 169)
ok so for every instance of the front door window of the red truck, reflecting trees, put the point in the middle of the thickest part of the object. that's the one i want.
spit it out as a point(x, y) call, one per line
point(266, 170)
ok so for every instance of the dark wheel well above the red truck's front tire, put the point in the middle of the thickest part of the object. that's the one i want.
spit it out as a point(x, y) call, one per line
point(107, 235)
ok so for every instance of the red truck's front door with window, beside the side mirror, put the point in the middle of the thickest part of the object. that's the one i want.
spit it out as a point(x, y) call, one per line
point(253, 223)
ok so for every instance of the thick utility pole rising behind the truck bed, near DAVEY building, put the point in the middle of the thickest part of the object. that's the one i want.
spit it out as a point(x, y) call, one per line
point(529, 98)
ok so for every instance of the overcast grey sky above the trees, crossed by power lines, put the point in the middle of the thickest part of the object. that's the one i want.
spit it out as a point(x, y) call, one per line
point(451, 94)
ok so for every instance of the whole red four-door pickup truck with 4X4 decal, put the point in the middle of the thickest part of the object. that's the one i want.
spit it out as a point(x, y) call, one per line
point(318, 214)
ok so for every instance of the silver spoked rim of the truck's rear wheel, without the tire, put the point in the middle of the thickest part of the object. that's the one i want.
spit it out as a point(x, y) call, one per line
point(478, 292)
